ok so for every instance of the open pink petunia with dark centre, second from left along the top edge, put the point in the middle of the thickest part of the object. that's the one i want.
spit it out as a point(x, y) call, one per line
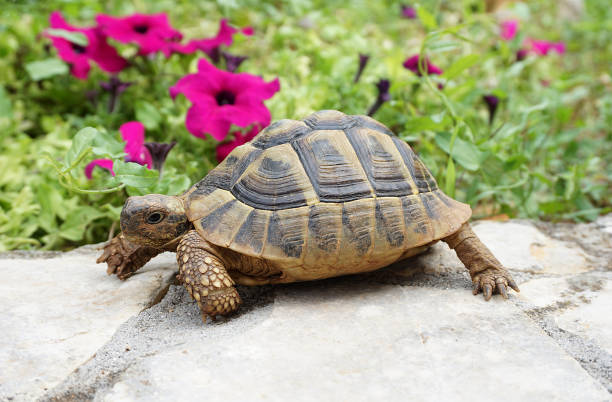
point(151, 32)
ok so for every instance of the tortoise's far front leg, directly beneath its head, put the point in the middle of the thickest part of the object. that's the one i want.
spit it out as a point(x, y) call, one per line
point(123, 258)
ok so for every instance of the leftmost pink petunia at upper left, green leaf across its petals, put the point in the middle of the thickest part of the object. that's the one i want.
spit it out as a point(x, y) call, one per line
point(78, 56)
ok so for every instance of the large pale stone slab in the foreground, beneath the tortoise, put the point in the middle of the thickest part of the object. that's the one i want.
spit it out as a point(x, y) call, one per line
point(351, 340)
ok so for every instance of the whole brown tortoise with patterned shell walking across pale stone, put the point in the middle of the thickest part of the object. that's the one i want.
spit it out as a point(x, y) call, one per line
point(330, 195)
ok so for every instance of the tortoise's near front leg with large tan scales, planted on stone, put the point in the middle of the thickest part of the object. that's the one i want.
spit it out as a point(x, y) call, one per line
point(204, 275)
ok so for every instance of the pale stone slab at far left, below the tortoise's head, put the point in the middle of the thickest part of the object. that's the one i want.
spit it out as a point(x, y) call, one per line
point(56, 312)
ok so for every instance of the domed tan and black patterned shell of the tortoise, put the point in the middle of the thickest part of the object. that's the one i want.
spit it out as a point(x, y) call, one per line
point(333, 187)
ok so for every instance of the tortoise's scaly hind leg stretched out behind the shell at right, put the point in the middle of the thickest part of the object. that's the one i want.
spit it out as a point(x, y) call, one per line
point(486, 271)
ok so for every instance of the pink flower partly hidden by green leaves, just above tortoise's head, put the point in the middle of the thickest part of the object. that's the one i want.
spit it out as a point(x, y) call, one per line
point(133, 134)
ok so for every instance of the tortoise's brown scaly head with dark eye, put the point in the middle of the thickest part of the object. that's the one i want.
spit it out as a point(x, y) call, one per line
point(153, 220)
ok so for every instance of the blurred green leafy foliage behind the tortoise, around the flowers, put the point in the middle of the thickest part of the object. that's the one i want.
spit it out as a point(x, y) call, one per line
point(547, 153)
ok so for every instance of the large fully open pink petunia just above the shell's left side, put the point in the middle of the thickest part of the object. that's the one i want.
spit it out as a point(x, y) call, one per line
point(221, 98)
